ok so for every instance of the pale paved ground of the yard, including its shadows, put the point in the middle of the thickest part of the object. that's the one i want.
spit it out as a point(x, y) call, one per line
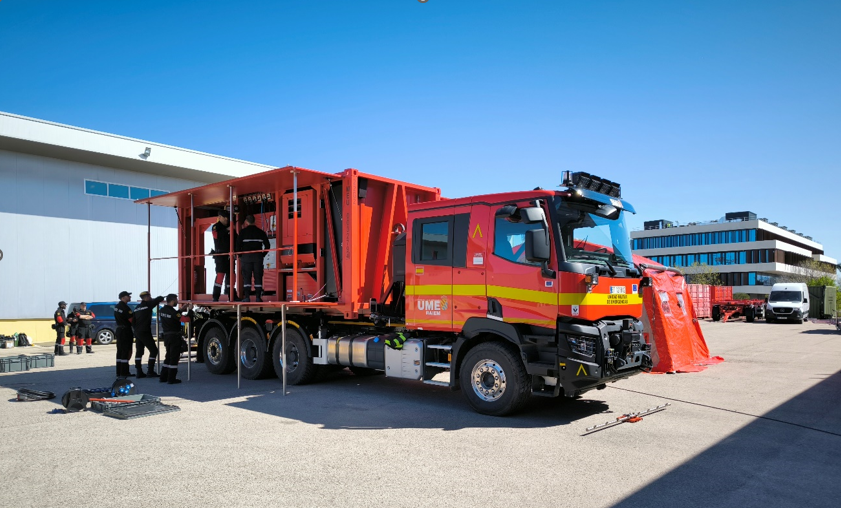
point(761, 429)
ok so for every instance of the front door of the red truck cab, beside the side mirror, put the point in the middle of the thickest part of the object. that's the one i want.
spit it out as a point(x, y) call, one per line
point(524, 291)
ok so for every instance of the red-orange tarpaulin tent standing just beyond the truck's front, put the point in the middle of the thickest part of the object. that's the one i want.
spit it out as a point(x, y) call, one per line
point(669, 319)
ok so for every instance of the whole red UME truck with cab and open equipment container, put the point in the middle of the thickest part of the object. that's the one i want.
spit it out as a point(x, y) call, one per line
point(501, 296)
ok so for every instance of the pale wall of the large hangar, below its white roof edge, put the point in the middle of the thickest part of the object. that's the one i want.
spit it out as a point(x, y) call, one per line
point(59, 243)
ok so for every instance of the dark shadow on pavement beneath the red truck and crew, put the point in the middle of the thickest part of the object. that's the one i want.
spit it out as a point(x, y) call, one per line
point(342, 401)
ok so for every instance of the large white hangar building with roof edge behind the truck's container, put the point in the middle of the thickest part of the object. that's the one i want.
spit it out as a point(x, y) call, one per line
point(69, 227)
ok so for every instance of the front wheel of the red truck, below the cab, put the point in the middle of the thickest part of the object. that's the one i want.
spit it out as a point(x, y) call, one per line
point(494, 380)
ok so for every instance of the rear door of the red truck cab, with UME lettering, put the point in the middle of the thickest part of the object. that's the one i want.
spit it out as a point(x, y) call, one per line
point(429, 275)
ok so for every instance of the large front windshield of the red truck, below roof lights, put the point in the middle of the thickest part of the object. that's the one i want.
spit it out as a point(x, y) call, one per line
point(591, 238)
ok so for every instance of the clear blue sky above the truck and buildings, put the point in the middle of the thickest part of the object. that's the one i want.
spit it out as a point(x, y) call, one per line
point(697, 108)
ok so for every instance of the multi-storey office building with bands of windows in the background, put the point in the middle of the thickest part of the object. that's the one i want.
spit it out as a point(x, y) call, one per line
point(749, 253)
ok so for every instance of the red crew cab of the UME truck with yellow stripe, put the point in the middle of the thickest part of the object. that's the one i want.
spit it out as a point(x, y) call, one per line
point(550, 272)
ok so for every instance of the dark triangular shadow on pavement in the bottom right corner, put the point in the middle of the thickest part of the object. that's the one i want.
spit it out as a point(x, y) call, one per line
point(766, 463)
